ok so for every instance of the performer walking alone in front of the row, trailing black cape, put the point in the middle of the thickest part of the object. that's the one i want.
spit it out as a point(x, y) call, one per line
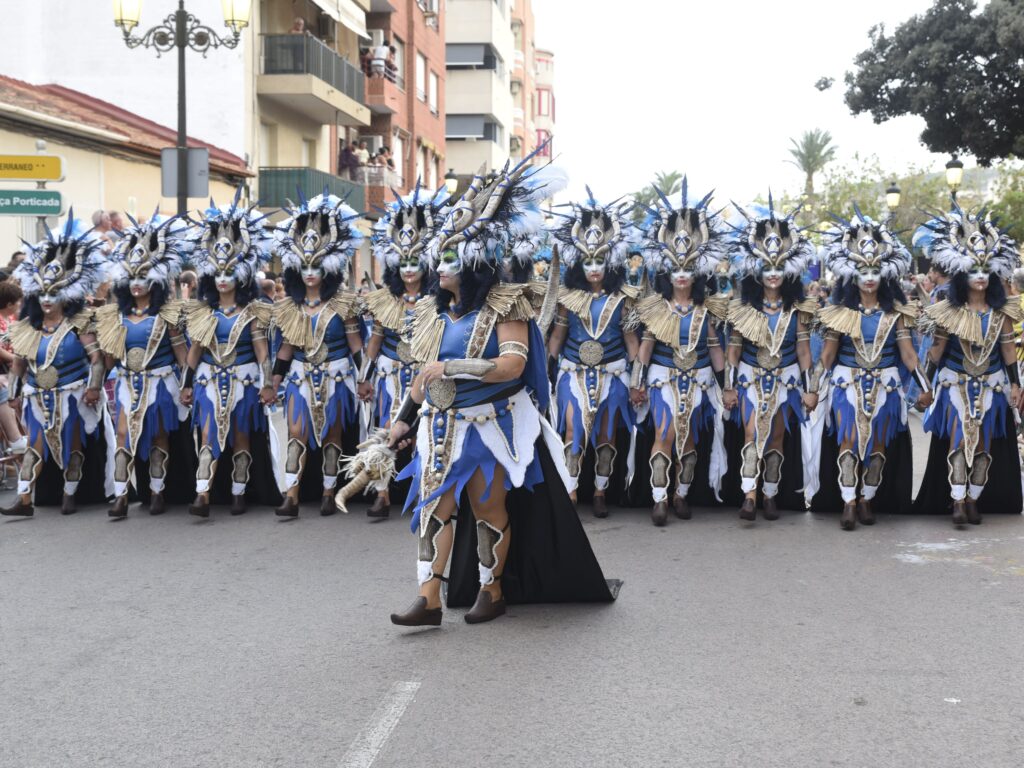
point(480, 430)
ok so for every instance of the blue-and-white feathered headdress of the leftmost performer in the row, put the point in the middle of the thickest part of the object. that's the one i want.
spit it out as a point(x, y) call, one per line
point(67, 267)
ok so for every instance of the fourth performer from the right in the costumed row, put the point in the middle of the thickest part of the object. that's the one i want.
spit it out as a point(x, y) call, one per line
point(681, 364)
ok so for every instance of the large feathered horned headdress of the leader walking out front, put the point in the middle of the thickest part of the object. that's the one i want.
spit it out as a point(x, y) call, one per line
point(494, 212)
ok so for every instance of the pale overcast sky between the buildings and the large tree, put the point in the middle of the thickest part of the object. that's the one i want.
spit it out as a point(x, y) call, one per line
point(715, 90)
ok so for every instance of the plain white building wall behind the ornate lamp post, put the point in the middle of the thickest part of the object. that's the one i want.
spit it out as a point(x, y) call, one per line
point(75, 44)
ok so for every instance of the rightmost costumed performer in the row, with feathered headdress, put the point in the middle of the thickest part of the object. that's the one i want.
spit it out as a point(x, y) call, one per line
point(977, 379)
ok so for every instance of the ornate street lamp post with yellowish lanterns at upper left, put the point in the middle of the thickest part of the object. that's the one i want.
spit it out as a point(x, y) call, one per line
point(182, 30)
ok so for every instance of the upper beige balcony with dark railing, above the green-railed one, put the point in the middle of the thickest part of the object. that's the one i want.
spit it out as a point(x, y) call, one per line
point(307, 77)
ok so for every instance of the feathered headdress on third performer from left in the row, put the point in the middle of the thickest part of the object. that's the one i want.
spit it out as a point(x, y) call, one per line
point(232, 240)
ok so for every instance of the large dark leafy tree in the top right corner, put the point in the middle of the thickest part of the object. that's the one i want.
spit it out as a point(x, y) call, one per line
point(958, 68)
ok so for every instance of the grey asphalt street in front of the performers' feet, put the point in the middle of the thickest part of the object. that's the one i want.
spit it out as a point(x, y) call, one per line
point(172, 642)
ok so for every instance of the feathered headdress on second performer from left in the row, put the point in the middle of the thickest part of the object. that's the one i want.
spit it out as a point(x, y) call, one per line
point(153, 251)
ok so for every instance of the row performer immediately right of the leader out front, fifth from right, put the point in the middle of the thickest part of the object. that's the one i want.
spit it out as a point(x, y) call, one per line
point(592, 344)
